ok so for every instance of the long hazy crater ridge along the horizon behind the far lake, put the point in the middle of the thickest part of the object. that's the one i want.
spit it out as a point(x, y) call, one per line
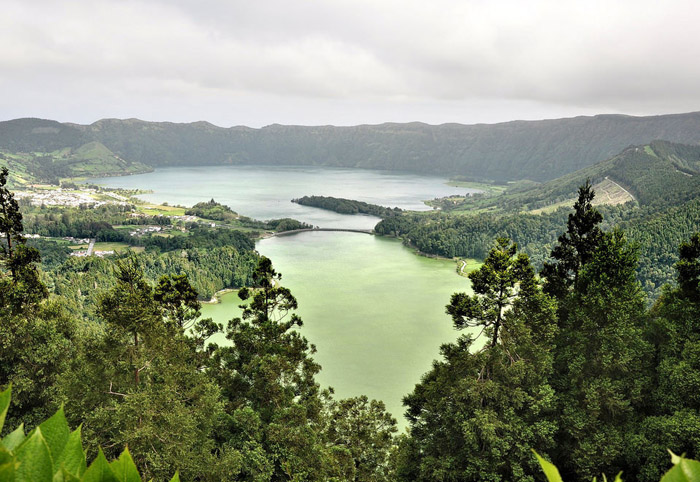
point(537, 150)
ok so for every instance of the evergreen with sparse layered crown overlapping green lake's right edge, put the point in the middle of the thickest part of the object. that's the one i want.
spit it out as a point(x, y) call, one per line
point(477, 413)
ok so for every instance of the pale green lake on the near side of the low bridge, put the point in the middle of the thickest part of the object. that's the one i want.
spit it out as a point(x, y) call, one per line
point(373, 308)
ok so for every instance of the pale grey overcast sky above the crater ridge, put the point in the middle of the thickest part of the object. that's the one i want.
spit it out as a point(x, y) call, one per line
point(346, 62)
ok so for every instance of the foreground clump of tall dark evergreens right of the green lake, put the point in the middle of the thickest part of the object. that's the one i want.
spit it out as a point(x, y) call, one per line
point(575, 367)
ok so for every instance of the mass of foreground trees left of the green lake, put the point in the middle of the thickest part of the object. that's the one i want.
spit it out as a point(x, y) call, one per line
point(139, 372)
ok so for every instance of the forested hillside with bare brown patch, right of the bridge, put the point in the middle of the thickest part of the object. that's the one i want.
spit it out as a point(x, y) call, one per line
point(663, 177)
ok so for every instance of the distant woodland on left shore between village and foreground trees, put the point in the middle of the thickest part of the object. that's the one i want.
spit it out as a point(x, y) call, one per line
point(214, 258)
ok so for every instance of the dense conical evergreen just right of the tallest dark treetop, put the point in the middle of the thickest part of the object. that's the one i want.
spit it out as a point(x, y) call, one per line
point(603, 363)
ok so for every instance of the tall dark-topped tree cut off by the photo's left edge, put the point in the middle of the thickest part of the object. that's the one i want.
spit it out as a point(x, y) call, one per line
point(36, 336)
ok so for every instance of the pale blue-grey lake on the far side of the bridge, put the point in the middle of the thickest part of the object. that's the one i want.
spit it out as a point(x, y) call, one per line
point(266, 192)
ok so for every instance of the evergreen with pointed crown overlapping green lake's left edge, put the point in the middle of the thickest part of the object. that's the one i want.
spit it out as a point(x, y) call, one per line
point(274, 407)
